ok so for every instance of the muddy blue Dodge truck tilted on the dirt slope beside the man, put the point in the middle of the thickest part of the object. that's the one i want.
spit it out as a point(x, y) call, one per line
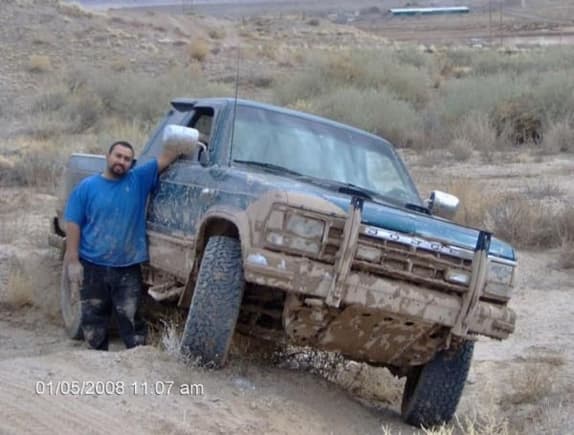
point(287, 226)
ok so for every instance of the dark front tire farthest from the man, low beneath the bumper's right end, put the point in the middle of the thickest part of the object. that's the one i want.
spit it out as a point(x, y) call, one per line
point(433, 390)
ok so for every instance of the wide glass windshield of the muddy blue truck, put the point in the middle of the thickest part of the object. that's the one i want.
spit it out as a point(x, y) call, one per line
point(321, 150)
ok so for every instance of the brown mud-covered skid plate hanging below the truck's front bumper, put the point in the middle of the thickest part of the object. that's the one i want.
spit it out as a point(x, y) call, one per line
point(363, 334)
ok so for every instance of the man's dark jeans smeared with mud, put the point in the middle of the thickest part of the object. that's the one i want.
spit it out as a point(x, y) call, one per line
point(111, 289)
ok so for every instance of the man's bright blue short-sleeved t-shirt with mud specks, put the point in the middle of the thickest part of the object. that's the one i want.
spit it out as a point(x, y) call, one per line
point(111, 216)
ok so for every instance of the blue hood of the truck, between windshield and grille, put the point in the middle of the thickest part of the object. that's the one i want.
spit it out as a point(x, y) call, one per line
point(389, 216)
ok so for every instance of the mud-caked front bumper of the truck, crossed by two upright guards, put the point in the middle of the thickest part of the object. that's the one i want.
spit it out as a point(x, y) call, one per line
point(401, 299)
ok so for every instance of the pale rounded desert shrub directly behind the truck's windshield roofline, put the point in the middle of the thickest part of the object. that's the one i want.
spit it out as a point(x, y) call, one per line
point(377, 111)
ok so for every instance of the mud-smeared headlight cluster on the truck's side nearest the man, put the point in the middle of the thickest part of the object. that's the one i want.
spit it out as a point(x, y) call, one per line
point(300, 233)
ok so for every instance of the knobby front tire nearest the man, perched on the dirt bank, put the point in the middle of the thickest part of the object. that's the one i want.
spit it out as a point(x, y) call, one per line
point(216, 302)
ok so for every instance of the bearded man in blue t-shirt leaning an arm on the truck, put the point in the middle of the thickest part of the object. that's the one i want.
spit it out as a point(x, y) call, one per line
point(106, 242)
